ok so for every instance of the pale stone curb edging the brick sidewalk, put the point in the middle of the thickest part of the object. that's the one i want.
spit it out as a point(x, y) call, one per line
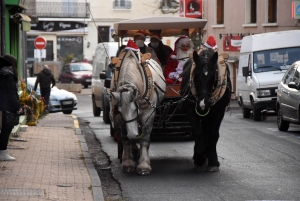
point(96, 182)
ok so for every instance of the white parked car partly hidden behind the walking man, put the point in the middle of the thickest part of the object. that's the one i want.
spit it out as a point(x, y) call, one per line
point(60, 100)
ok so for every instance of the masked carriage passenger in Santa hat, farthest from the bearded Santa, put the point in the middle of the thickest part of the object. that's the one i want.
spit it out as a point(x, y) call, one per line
point(139, 39)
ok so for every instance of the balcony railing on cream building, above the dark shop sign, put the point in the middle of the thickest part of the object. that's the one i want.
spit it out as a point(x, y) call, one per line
point(62, 9)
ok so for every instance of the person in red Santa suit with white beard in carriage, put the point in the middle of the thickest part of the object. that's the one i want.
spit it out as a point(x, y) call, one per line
point(174, 68)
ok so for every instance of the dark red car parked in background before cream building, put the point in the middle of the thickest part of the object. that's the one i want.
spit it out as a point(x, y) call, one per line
point(78, 73)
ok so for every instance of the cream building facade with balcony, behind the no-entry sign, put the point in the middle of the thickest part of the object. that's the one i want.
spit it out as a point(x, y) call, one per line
point(75, 27)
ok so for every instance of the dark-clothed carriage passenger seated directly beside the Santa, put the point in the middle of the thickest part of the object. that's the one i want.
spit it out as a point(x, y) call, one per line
point(162, 51)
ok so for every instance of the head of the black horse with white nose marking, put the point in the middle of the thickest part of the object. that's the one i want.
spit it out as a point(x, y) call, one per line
point(204, 76)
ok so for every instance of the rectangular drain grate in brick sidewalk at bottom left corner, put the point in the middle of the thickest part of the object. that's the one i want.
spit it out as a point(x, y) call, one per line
point(21, 192)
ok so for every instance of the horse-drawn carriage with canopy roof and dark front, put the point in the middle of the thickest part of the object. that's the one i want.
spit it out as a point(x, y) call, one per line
point(169, 119)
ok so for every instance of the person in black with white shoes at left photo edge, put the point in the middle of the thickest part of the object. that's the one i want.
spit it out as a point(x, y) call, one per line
point(9, 101)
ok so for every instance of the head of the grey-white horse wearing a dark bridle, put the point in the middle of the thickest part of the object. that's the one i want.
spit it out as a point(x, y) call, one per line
point(125, 98)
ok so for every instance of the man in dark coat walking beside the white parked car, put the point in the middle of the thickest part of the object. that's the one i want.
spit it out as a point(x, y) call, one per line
point(45, 78)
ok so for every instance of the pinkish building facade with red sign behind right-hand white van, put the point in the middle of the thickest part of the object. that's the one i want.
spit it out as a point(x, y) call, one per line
point(230, 20)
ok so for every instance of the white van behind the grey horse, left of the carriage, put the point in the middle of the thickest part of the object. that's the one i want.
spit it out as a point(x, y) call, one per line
point(100, 96)
